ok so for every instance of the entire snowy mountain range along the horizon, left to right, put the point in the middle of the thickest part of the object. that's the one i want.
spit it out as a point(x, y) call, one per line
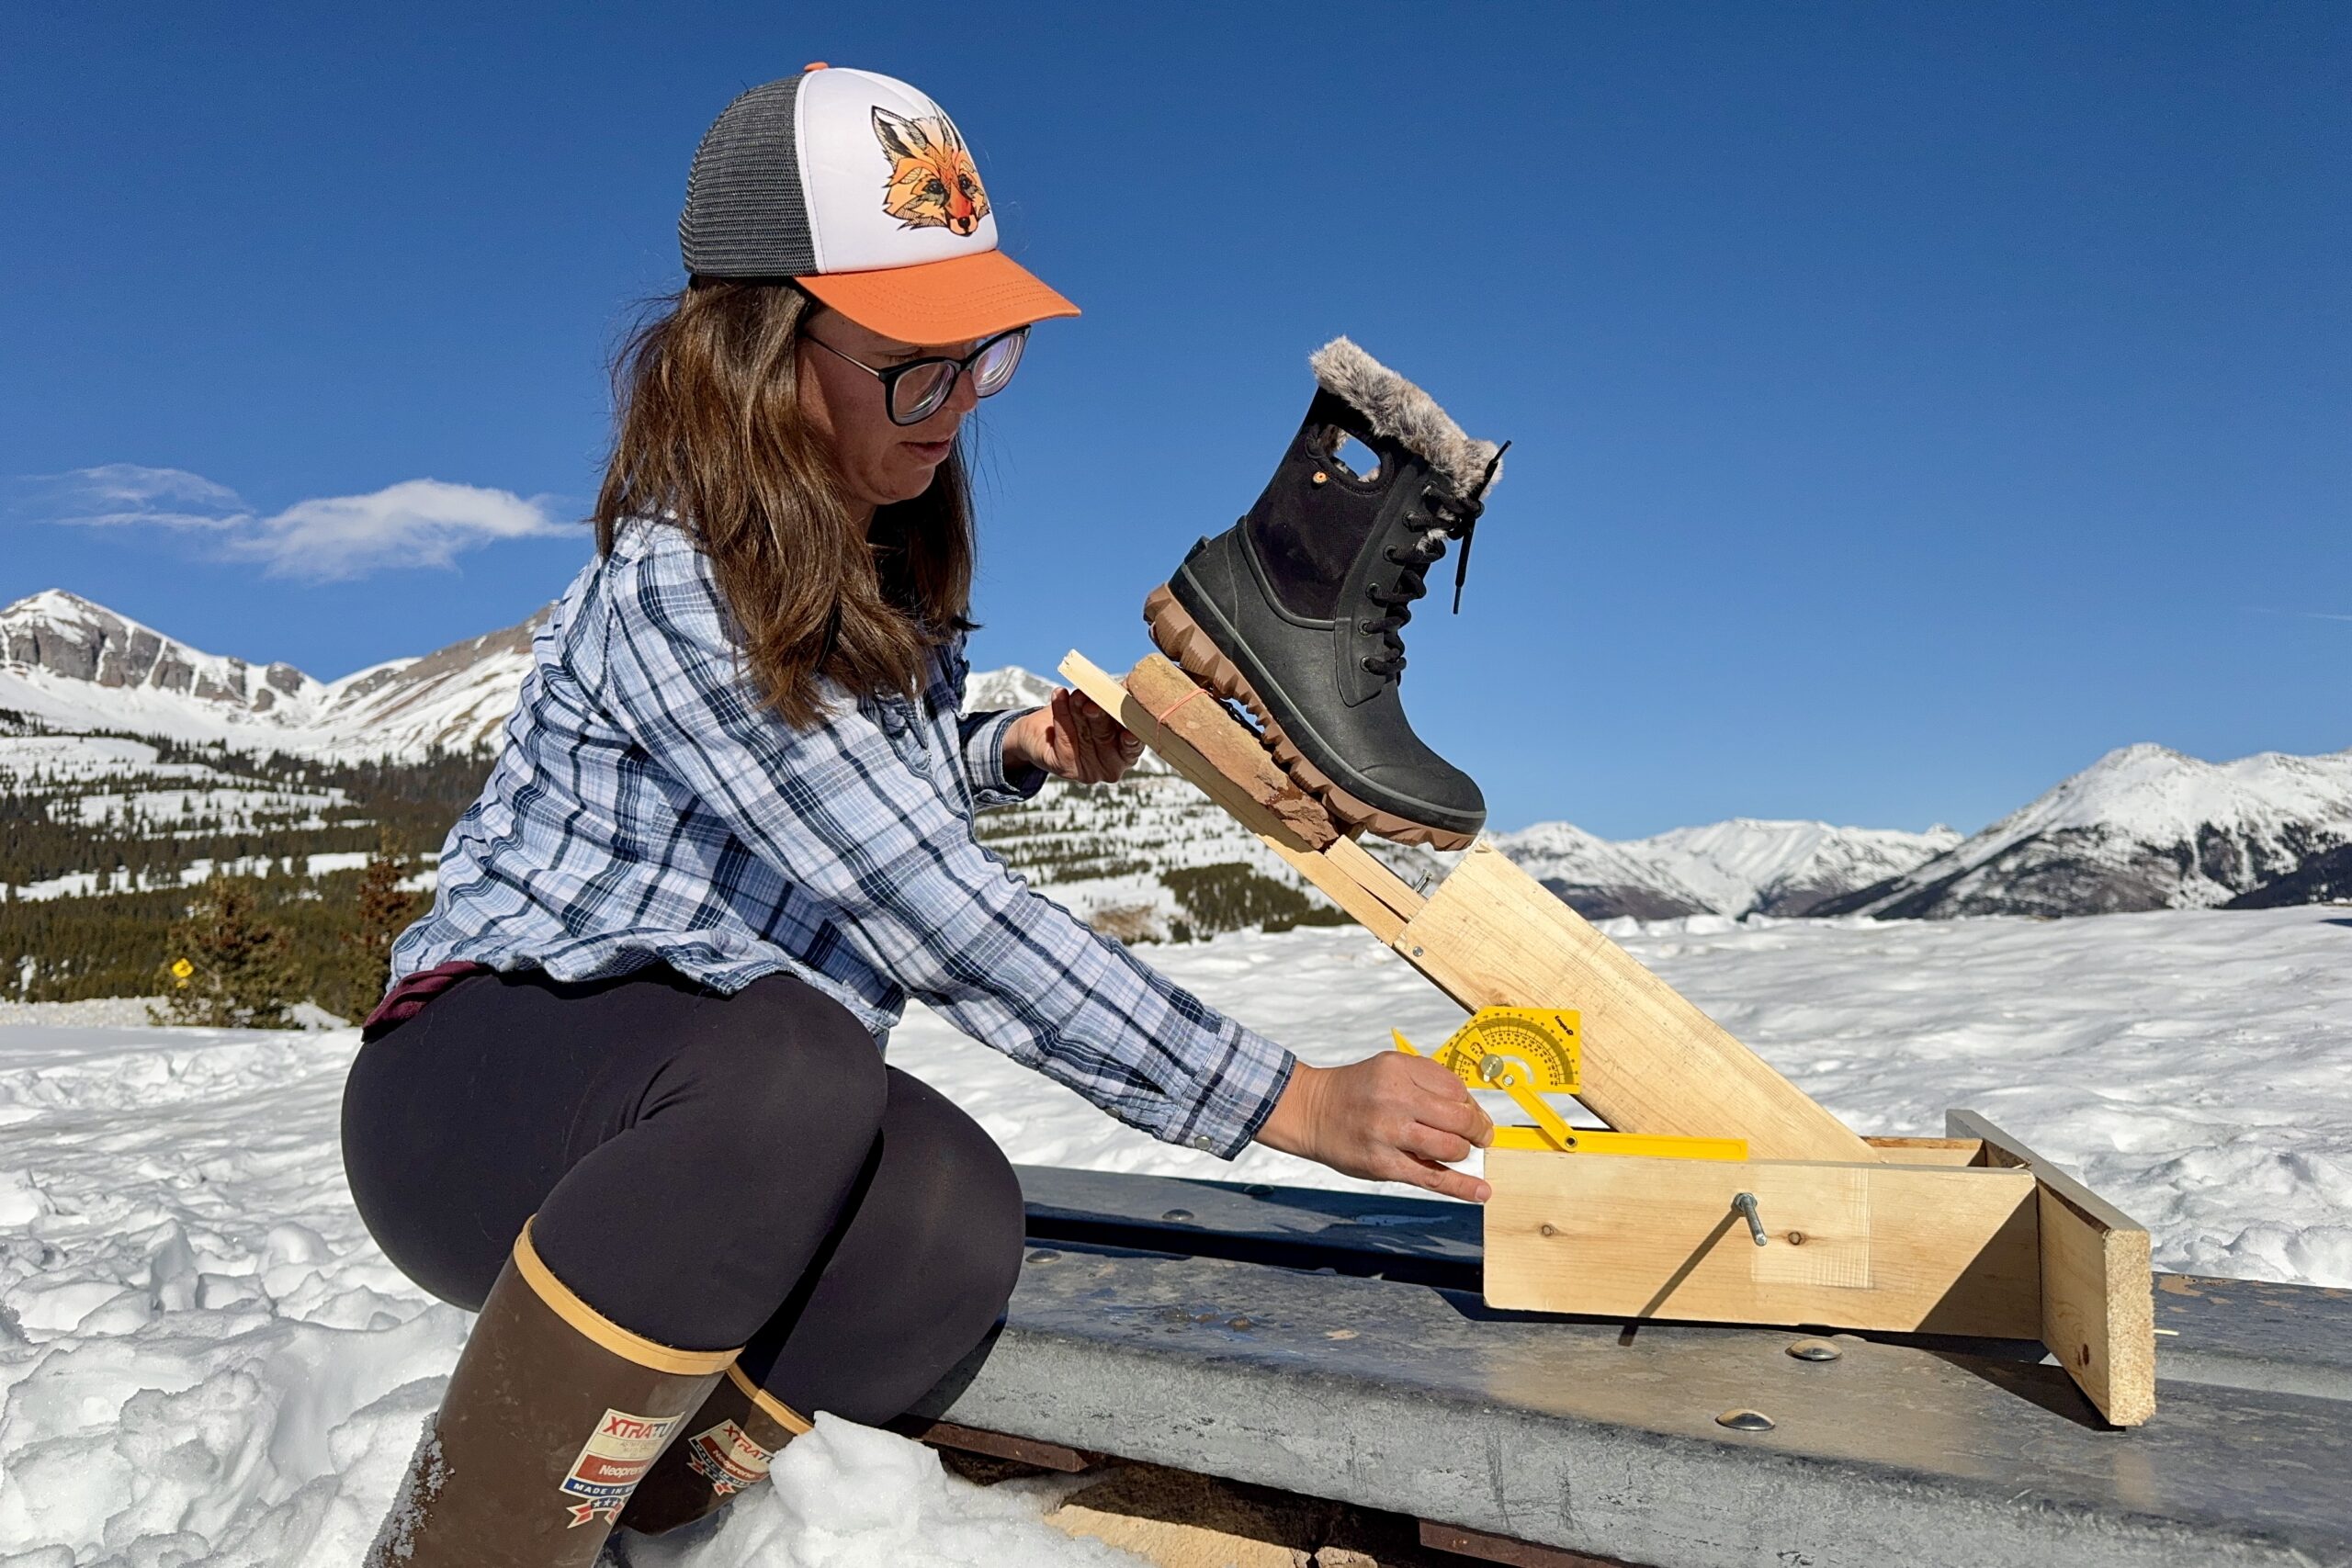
point(2141, 829)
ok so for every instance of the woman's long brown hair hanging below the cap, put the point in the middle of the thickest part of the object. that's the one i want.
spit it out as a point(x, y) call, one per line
point(709, 431)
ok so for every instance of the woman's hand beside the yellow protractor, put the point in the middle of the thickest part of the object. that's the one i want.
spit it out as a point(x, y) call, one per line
point(1389, 1118)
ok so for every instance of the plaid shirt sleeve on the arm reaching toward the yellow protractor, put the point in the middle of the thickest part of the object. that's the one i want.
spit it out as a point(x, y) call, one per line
point(860, 824)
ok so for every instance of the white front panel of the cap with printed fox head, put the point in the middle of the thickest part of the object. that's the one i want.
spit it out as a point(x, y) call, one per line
point(886, 173)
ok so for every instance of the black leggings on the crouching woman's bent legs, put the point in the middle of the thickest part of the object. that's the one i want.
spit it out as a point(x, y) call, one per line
point(707, 1172)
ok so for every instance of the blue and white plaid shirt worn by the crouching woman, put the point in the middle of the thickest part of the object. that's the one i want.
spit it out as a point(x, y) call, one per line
point(646, 808)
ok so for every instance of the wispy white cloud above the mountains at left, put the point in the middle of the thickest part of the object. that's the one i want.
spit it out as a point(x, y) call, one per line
point(417, 523)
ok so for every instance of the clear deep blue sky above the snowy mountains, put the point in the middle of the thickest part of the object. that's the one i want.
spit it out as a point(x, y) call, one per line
point(1911, 401)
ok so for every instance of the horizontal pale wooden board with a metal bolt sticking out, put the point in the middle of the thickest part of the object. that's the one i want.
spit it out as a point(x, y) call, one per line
point(1932, 1249)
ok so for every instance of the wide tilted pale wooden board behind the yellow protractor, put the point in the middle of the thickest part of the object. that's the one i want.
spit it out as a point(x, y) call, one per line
point(1655, 1064)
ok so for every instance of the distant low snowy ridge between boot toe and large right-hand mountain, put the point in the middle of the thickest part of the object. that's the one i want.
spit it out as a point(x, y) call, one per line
point(1744, 866)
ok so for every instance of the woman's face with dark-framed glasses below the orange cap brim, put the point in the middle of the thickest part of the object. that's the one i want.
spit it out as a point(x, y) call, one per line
point(881, 462)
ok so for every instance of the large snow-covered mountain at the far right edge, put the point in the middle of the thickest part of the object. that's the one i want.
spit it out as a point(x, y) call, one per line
point(2141, 829)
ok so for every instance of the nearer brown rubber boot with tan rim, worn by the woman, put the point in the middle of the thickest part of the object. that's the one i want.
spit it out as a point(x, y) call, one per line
point(552, 1419)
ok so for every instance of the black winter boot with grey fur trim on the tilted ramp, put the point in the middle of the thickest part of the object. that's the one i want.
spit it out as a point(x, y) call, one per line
point(1299, 608)
